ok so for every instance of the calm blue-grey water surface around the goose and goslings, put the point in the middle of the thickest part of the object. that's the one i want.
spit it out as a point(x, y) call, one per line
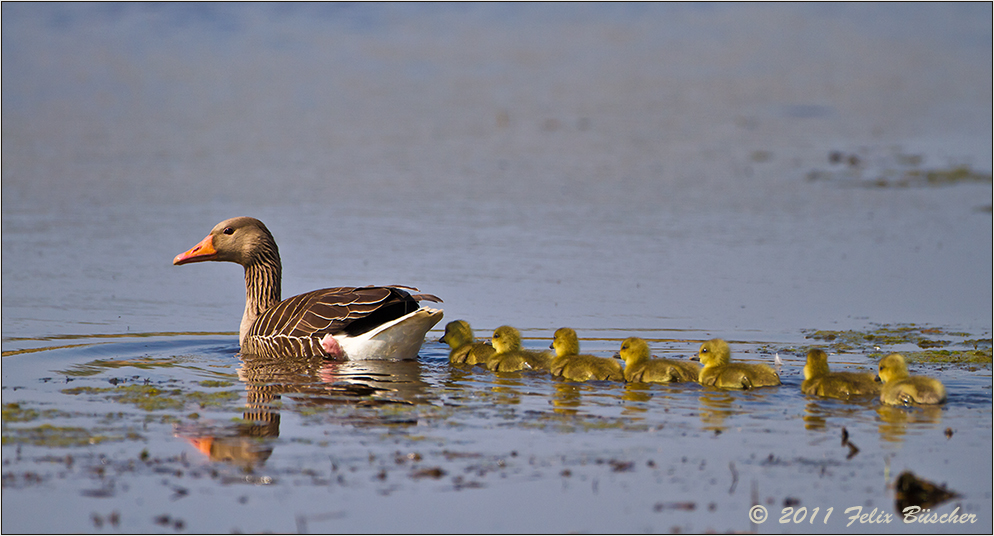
point(675, 172)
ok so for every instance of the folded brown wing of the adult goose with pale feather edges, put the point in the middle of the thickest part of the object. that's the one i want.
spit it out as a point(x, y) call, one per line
point(333, 310)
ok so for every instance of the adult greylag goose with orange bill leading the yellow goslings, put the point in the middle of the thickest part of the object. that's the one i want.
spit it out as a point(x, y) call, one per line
point(339, 323)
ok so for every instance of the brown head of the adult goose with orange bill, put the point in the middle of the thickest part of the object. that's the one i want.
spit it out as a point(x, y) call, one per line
point(241, 240)
